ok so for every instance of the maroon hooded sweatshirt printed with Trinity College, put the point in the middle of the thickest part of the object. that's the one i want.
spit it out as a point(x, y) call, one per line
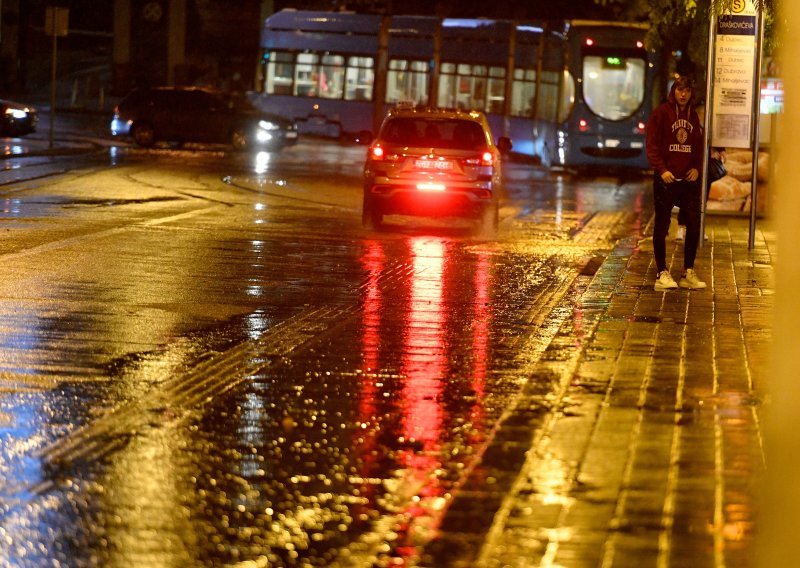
point(674, 138)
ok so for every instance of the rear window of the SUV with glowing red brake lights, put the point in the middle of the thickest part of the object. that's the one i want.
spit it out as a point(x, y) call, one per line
point(441, 133)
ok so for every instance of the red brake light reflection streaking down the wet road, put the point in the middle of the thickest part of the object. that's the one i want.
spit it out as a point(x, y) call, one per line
point(425, 342)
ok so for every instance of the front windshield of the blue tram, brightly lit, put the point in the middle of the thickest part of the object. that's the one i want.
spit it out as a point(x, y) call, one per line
point(613, 84)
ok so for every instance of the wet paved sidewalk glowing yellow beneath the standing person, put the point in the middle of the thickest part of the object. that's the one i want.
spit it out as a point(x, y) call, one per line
point(652, 451)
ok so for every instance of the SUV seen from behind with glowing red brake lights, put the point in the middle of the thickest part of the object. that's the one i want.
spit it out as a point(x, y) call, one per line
point(433, 162)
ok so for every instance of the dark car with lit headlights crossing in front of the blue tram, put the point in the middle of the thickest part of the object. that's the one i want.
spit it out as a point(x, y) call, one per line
point(194, 114)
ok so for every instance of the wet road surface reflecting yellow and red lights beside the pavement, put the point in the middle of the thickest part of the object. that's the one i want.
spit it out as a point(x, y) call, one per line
point(207, 361)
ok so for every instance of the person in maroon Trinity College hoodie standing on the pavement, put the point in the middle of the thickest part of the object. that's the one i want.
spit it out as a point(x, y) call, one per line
point(675, 152)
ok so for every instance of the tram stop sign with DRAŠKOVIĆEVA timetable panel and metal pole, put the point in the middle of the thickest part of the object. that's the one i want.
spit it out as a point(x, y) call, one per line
point(737, 78)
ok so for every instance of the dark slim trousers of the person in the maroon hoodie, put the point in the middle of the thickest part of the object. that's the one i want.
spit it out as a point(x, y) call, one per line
point(683, 194)
